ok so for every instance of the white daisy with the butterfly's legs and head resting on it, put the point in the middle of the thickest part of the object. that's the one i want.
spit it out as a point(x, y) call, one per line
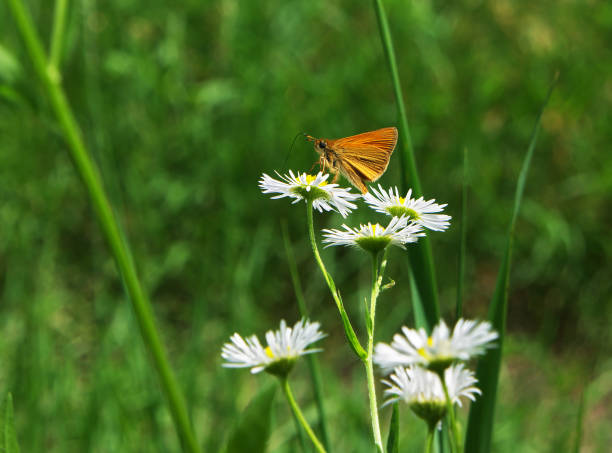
point(324, 196)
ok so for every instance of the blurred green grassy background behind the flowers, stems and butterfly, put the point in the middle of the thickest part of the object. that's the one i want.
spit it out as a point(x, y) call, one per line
point(185, 104)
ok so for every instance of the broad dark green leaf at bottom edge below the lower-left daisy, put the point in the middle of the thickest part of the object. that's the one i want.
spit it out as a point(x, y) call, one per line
point(252, 430)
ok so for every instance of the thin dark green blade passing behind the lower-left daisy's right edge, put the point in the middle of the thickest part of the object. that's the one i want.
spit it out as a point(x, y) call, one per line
point(313, 363)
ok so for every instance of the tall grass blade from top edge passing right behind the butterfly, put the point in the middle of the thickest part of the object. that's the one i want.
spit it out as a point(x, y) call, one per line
point(419, 254)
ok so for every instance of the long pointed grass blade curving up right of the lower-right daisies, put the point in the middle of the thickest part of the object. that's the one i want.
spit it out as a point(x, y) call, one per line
point(480, 423)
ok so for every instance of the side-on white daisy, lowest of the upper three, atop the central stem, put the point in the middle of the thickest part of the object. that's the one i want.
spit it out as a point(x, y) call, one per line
point(374, 238)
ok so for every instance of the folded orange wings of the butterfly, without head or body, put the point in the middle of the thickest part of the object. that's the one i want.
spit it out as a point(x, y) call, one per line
point(366, 155)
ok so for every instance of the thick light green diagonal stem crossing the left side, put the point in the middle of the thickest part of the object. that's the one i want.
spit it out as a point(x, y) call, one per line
point(110, 228)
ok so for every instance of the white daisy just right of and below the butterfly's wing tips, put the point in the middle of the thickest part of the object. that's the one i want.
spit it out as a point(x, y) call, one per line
point(418, 210)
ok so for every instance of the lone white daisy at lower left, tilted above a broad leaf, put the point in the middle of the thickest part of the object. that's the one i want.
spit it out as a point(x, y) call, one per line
point(284, 347)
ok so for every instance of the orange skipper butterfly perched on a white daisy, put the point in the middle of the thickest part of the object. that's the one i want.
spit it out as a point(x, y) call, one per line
point(360, 158)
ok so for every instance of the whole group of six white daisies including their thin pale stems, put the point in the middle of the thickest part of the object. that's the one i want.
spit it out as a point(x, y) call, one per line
point(425, 371)
